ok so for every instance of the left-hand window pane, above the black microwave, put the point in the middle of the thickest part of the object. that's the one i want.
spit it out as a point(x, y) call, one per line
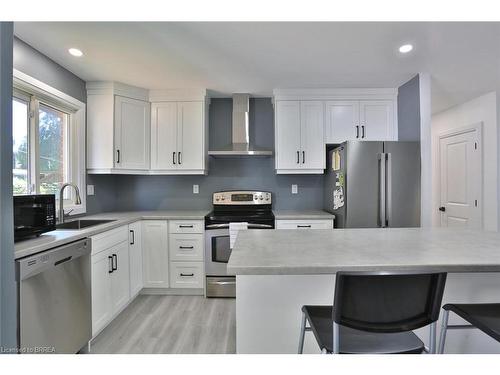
point(20, 160)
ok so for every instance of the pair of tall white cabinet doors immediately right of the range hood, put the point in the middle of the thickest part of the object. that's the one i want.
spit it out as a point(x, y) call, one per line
point(300, 146)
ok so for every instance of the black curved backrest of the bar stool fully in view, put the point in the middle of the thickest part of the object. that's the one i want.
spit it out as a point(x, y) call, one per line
point(387, 302)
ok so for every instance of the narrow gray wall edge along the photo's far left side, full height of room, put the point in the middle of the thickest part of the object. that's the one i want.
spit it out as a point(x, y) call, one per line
point(8, 300)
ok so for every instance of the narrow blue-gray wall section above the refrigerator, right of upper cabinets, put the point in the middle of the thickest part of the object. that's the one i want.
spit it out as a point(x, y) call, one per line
point(409, 110)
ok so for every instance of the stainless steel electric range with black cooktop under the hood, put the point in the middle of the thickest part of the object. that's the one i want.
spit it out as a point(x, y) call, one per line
point(252, 207)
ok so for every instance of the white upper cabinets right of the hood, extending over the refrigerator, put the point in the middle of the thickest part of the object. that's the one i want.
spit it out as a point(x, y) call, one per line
point(306, 119)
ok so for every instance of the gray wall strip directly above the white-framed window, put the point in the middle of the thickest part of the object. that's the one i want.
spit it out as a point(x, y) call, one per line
point(29, 61)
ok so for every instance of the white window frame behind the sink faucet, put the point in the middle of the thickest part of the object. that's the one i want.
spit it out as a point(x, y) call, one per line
point(76, 109)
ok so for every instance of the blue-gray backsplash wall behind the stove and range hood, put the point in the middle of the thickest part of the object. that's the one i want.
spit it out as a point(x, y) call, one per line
point(175, 192)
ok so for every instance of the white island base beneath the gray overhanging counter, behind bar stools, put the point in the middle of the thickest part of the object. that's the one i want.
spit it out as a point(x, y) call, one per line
point(268, 311)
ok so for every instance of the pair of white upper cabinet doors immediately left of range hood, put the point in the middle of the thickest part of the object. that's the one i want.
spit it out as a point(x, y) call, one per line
point(178, 137)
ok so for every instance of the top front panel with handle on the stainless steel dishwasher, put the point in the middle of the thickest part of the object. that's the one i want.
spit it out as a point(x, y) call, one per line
point(33, 265)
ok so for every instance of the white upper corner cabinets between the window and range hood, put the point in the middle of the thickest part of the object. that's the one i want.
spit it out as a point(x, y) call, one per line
point(135, 131)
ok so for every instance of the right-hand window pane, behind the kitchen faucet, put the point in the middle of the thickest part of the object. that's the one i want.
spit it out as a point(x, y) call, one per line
point(53, 149)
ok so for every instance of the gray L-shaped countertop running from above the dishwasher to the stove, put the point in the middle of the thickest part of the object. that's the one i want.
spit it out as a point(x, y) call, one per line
point(60, 237)
